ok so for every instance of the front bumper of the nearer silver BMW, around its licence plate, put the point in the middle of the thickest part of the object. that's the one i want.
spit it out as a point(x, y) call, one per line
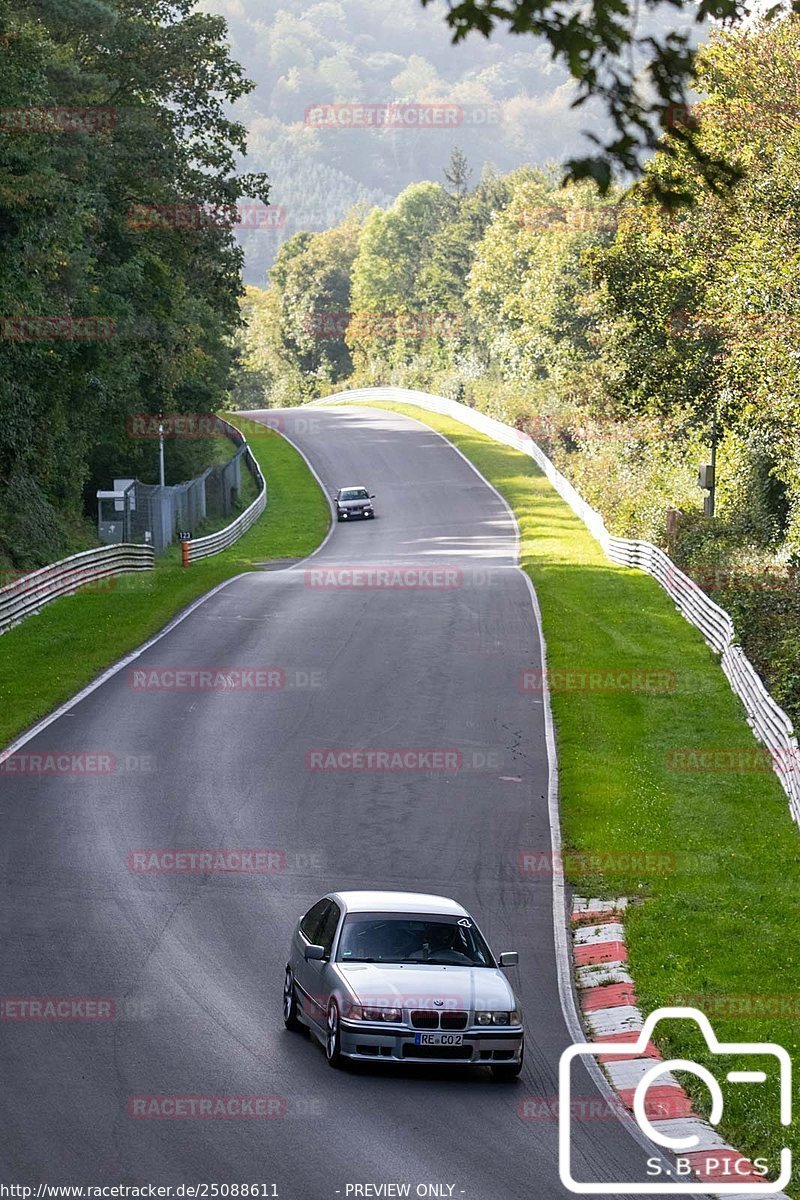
point(363, 1040)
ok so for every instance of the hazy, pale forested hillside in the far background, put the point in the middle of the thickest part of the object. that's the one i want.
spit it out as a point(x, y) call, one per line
point(514, 105)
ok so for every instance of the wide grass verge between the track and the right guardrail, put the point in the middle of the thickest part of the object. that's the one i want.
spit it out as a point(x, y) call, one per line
point(724, 922)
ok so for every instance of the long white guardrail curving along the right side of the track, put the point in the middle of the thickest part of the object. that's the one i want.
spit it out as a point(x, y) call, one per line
point(768, 721)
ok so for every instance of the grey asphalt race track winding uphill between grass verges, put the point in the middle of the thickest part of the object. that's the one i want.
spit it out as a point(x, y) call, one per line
point(194, 963)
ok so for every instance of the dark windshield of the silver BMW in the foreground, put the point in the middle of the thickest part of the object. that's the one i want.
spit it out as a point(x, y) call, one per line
point(400, 938)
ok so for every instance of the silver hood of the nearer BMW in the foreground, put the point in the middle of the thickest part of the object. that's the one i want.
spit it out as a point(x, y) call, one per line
point(407, 986)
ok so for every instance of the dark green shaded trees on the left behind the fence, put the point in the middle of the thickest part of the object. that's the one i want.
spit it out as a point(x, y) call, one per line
point(110, 110)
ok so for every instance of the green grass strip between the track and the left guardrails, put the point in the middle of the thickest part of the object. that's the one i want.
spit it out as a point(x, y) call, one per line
point(50, 657)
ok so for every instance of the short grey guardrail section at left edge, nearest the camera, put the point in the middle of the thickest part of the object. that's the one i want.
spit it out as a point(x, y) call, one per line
point(29, 593)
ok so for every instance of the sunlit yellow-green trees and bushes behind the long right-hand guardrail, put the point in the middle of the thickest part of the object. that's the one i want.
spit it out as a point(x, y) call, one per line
point(617, 332)
